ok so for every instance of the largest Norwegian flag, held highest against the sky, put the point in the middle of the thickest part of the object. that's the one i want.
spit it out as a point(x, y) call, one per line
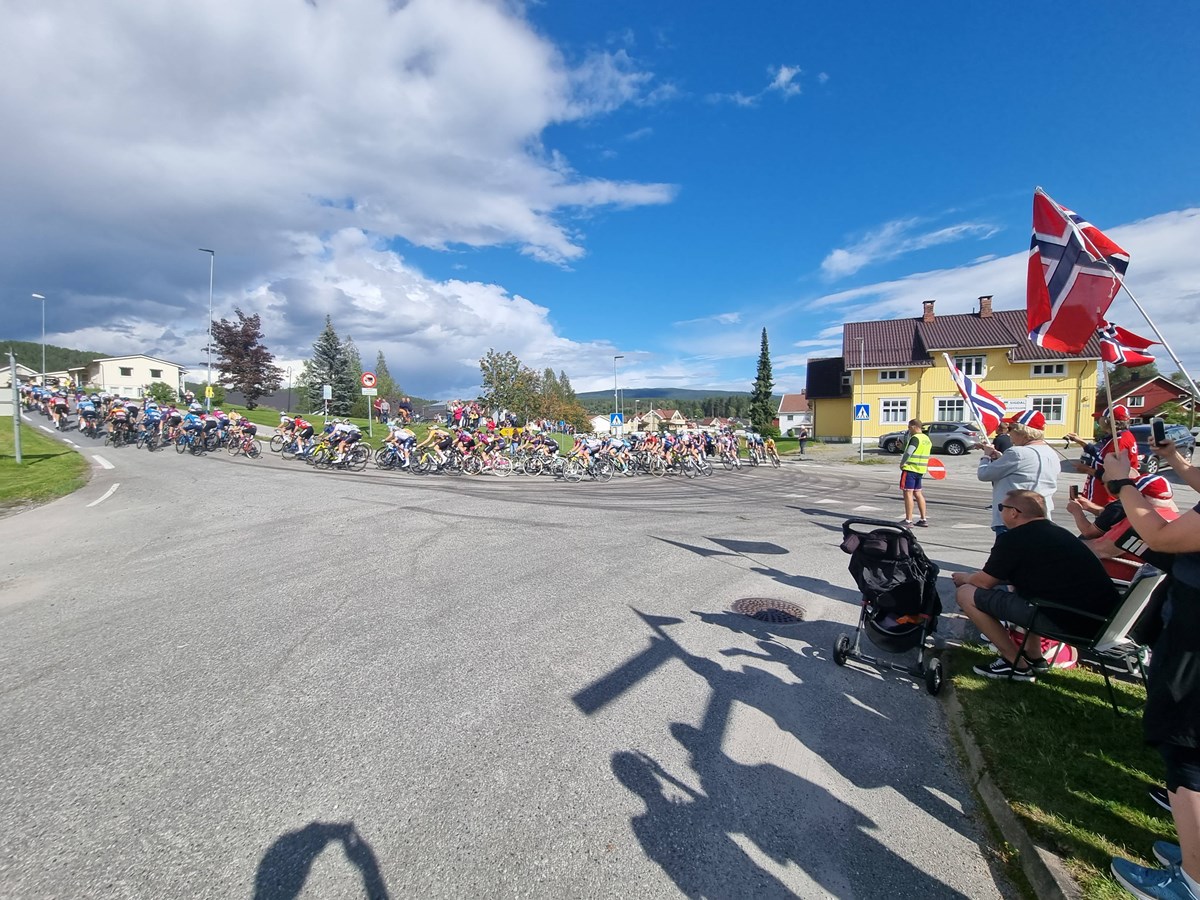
point(1073, 278)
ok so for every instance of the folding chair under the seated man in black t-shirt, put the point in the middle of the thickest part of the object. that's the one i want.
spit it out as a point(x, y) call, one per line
point(1112, 645)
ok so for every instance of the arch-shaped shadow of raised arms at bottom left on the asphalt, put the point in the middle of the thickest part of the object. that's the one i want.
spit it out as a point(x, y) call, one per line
point(285, 867)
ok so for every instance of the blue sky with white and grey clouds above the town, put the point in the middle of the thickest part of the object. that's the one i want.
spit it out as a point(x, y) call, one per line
point(578, 182)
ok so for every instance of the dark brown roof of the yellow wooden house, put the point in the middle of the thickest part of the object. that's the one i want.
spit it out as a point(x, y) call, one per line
point(911, 344)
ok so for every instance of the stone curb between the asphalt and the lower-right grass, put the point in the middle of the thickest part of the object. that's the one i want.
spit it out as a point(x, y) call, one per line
point(1046, 871)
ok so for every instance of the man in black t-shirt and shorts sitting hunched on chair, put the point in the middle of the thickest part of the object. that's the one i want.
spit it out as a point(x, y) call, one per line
point(1040, 561)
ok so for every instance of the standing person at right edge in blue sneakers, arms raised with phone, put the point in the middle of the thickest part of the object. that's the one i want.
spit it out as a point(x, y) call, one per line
point(1172, 717)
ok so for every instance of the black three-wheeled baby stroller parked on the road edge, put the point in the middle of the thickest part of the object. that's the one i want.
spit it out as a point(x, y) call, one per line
point(901, 602)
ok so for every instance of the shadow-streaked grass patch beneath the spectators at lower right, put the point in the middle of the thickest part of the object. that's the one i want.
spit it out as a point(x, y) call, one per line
point(1075, 773)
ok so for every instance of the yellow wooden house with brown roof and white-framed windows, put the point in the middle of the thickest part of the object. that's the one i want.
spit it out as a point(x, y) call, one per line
point(896, 369)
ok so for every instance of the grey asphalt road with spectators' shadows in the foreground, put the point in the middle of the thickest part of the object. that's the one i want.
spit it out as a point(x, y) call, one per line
point(236, 679)
